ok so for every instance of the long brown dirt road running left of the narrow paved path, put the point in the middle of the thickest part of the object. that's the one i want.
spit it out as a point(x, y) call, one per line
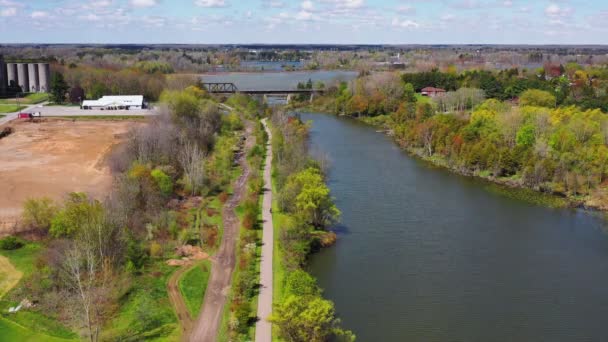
point(207, 325)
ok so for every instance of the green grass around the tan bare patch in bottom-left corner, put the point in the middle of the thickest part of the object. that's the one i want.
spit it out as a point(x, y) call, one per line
point(27, 325)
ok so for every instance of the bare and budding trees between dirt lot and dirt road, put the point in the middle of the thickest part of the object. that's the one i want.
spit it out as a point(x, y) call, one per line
point(96, 251)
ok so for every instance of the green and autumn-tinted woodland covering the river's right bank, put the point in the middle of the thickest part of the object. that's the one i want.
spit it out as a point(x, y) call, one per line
point(540, 131)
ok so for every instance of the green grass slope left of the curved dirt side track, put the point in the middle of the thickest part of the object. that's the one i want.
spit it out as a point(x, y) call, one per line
point(151, 284)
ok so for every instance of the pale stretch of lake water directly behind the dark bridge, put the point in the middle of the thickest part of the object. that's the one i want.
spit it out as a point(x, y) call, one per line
point(278, 80)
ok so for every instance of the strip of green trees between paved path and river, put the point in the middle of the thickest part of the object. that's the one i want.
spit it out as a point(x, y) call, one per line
point(303, 209)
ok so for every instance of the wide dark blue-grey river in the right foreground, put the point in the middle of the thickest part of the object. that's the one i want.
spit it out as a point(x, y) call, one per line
point(427, 255)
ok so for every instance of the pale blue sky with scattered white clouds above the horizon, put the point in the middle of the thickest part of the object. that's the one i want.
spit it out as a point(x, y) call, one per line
point(305, 21)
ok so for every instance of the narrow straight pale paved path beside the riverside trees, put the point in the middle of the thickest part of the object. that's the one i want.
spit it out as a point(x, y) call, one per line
point(263, 328)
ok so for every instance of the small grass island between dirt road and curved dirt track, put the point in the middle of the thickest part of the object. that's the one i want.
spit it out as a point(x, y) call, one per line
point(193, 284)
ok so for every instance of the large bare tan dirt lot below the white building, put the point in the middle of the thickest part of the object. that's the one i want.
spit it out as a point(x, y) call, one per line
point(52, 158)
